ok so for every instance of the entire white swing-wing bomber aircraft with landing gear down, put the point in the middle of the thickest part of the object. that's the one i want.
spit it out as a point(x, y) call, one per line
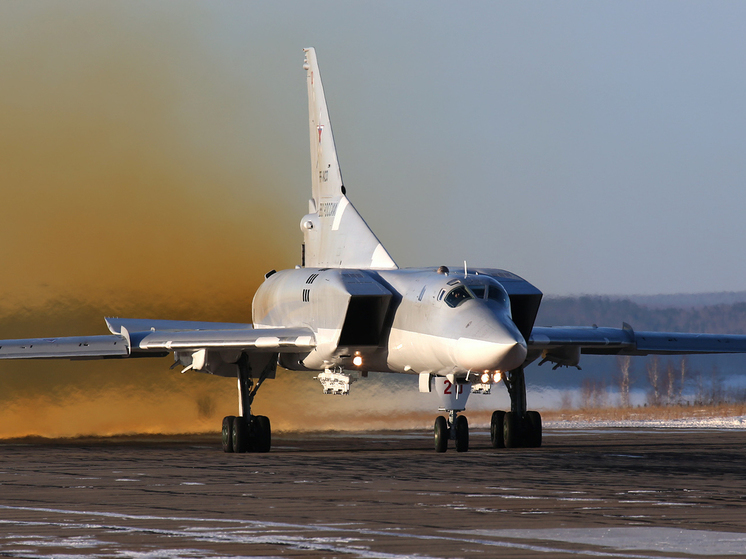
point(348, 309)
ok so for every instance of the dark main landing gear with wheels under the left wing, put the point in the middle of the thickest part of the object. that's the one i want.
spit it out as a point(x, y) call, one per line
point(247, 432)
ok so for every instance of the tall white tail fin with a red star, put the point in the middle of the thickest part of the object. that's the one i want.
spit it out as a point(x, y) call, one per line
point(335, 235)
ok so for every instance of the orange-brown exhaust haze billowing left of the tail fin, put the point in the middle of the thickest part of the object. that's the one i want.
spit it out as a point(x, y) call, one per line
point(125, 192)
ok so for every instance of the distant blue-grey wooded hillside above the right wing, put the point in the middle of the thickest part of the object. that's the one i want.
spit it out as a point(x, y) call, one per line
point(607, 311)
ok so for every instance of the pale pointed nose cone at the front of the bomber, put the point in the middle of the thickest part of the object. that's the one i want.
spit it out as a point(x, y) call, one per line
point(503, 351)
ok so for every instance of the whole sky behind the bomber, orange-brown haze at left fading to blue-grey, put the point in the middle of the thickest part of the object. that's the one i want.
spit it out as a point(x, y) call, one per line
point(154, 162)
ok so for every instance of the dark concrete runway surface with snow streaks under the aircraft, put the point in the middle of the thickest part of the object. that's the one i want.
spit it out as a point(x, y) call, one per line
point(595, 493)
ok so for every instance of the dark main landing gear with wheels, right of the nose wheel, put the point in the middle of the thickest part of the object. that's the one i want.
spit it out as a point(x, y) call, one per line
point(518, 427)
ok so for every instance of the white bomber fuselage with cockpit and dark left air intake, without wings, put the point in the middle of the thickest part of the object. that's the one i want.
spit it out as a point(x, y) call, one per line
point(403, 321)
